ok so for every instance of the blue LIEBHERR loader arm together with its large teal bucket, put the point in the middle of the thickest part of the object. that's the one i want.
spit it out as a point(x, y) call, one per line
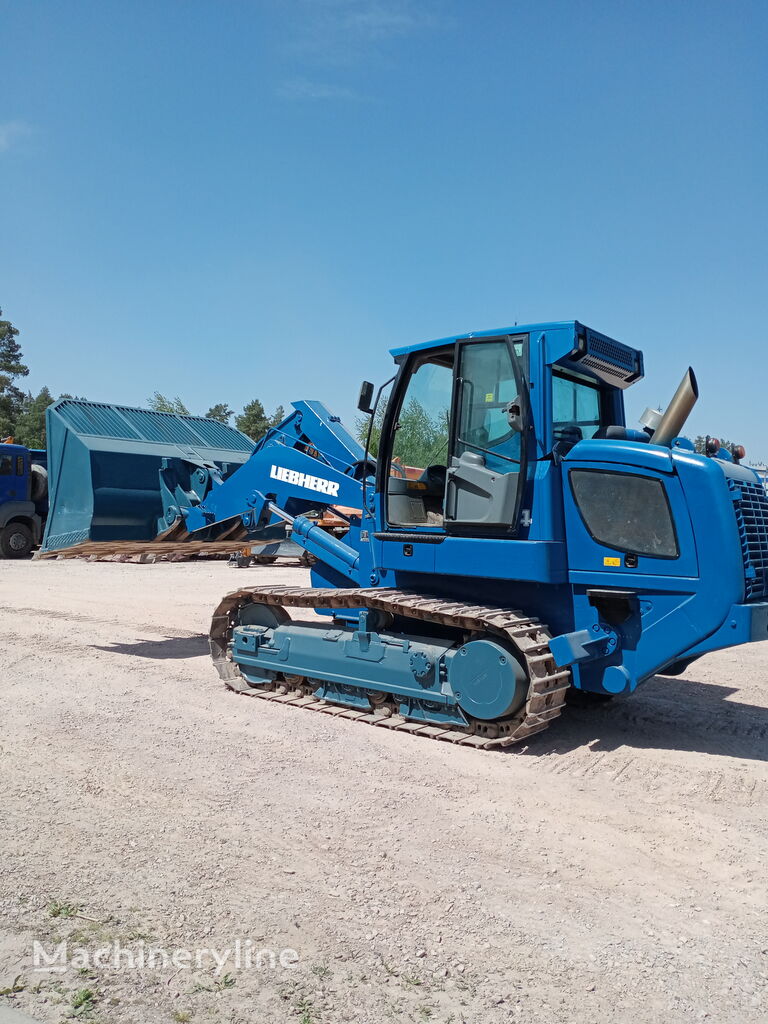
point(132, 482)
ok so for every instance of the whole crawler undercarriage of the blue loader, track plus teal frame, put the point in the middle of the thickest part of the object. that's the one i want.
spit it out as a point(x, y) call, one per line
point(510, 676)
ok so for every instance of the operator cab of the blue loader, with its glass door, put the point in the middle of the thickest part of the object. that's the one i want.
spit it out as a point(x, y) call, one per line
point(460, 429)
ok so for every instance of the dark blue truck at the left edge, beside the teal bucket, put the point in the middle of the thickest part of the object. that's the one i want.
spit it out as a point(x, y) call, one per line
point(24, 499)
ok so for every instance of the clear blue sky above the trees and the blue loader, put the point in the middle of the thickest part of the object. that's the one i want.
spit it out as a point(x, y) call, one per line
point(229, 200)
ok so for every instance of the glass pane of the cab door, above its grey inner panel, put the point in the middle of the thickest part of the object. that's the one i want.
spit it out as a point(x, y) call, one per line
point(490, 418)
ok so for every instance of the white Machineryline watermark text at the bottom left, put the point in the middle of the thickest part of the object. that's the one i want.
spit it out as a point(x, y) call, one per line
point(244, 955)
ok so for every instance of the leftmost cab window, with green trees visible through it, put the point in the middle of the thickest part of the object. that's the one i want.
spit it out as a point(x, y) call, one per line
point(417, 465)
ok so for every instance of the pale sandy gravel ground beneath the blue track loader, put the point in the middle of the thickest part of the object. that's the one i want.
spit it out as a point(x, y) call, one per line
point(614, 871)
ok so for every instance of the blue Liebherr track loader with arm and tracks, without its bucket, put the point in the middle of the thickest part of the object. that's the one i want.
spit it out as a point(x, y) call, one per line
point(516, 539)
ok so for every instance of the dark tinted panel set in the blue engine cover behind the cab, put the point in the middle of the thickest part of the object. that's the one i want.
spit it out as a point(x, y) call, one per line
point(625, 511)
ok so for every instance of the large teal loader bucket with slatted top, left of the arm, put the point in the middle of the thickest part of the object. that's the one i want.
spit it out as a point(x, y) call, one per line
point(104, 464)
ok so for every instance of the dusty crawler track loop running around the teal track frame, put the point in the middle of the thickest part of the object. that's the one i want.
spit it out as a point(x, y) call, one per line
point(530, 637)
